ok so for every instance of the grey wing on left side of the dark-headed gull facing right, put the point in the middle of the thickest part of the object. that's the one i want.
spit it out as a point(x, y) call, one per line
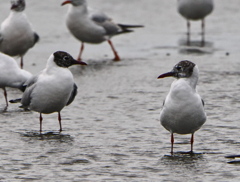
point(30, 85)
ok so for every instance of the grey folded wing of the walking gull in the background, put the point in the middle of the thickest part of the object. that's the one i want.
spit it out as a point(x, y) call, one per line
point(103, 20)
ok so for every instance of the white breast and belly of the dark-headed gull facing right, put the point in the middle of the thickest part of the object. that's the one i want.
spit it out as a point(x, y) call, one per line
point(52, 91)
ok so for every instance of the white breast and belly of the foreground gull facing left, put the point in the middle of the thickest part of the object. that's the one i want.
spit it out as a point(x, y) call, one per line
point(183, 111)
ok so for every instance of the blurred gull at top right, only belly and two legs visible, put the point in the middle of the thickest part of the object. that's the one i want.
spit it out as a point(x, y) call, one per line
point(195, 10)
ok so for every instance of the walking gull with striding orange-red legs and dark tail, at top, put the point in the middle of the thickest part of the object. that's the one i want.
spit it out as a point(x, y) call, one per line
point(90, 26)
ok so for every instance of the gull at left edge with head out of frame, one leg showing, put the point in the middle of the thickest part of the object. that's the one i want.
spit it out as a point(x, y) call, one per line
point(11, 75)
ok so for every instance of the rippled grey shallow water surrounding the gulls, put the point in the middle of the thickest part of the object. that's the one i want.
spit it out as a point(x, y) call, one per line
point(111, 132)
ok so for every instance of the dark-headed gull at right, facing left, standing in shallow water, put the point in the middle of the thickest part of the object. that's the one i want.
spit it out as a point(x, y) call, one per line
point(183, 109)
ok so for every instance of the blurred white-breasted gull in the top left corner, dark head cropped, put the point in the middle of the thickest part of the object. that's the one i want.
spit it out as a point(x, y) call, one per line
point(16, 33)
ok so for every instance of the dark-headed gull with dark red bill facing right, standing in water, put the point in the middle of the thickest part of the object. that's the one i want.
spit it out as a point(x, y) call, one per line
point(53, 88)
